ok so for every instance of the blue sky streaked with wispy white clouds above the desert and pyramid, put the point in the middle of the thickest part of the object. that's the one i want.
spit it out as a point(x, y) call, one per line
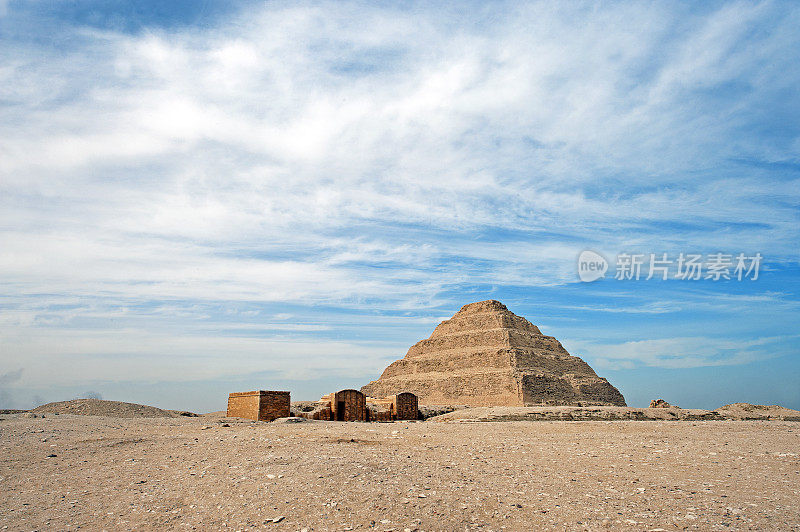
point(201, 197)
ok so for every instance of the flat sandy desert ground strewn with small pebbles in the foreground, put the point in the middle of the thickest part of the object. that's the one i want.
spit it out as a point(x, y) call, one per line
point(68, 472)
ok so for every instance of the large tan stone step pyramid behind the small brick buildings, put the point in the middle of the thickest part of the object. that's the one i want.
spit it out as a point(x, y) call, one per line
point(485, 355)
